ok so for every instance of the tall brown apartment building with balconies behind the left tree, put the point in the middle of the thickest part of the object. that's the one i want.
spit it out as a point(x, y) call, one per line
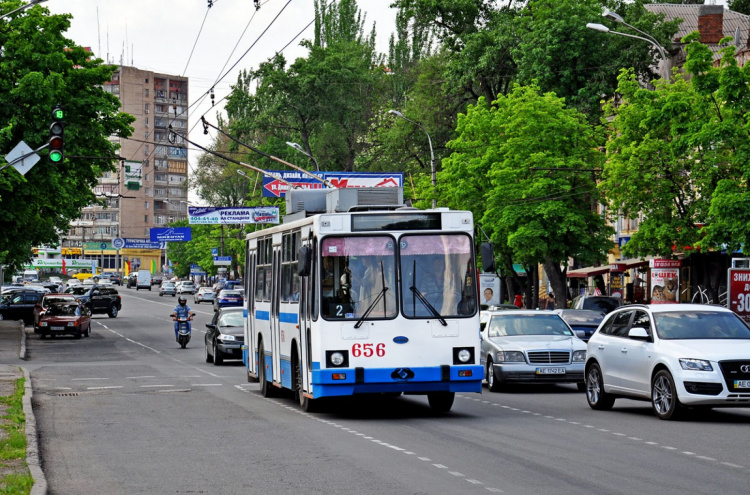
point(149, 188)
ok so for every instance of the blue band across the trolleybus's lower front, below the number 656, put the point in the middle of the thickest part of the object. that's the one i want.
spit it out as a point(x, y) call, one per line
point(378, 380)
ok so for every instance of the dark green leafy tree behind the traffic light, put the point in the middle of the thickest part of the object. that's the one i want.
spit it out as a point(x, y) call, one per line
point(41, 68)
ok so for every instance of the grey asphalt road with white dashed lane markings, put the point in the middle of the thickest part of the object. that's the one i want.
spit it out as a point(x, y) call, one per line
point(127, 411)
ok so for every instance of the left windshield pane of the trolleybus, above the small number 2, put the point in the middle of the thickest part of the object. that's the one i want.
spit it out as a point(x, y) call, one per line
point(358, 277)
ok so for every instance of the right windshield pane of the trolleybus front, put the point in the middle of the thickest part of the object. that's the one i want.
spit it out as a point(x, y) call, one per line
point(437, 276)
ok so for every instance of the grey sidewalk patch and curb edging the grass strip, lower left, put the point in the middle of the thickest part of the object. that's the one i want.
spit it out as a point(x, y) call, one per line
point(12, 357)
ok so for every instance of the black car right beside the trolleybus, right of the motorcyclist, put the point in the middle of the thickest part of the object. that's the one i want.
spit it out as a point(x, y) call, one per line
point(225, 336)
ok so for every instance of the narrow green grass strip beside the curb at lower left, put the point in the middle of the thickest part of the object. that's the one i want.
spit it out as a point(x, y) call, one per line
point(15, 478)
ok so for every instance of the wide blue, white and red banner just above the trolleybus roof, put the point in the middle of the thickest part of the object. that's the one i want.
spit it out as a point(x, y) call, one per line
point(274, 188)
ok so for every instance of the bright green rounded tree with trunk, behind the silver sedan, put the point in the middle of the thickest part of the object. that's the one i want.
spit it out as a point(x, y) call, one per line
point(517, 166)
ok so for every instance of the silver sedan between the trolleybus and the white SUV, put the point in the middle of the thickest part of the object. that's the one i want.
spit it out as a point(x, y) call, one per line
point(525, 346)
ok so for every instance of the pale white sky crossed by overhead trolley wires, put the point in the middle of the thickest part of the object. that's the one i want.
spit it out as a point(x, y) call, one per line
point(160, 35)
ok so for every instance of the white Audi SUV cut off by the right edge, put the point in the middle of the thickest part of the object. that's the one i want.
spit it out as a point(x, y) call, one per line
point(673, 355)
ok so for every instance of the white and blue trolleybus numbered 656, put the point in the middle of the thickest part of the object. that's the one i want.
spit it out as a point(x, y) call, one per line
point(375, 299)
